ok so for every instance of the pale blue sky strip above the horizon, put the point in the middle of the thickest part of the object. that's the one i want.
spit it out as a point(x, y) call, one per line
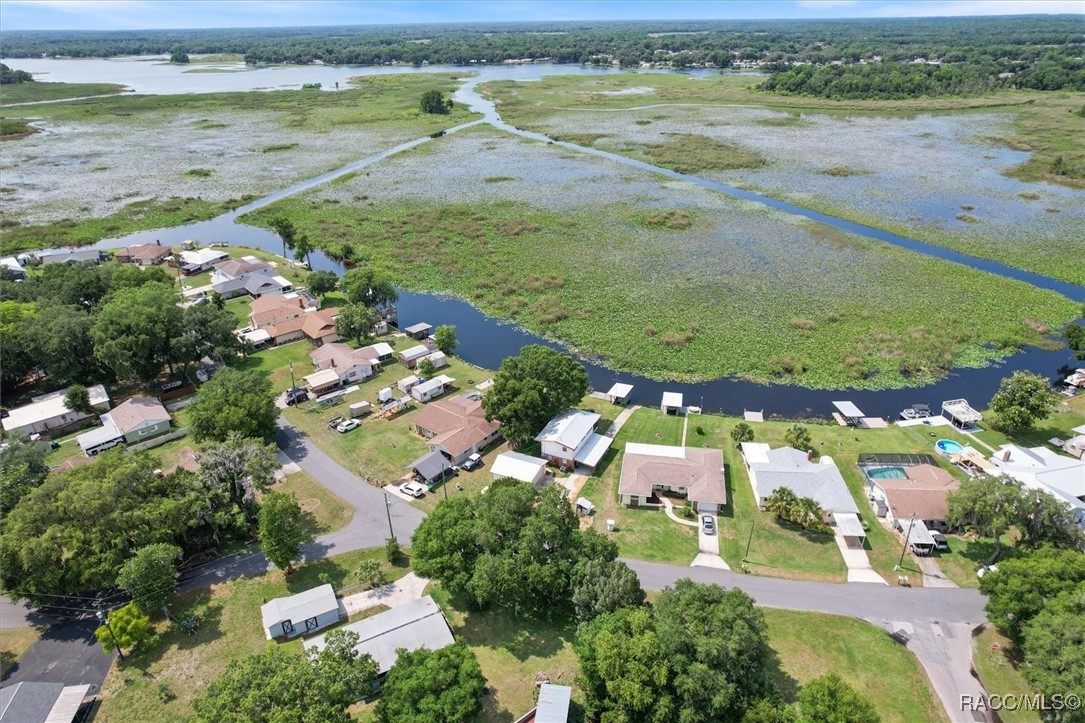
point(142, 15)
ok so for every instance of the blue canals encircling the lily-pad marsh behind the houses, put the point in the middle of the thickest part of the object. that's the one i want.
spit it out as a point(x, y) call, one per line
point(486, 341)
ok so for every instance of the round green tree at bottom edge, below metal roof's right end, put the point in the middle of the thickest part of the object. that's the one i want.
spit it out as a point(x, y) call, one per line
point(432, 687)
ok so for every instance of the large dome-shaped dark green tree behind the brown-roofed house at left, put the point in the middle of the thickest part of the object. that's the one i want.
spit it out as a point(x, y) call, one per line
point(134, 332)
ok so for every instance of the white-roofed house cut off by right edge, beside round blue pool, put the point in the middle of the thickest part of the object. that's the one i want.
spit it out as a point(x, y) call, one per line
point(1039, 468)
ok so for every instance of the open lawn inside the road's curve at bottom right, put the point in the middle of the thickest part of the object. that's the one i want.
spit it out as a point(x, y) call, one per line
point(811, 644)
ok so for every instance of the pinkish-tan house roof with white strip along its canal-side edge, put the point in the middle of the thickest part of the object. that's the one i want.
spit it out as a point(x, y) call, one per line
point(698, 470)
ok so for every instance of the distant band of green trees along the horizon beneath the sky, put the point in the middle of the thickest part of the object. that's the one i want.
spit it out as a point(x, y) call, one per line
point(814, 58)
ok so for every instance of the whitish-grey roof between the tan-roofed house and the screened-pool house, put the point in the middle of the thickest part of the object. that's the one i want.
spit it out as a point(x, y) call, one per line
point(787, 467)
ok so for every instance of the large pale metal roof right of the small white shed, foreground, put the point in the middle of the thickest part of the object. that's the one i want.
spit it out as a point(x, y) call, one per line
point(417, 625)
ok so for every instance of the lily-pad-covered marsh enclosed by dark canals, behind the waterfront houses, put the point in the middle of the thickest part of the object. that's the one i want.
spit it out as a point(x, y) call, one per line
point(727, 293)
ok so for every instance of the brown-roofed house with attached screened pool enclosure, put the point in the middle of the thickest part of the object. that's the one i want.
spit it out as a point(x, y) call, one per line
point(899, 492)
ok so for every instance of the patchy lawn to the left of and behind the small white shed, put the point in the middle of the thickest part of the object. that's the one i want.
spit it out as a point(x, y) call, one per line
point(161, 681)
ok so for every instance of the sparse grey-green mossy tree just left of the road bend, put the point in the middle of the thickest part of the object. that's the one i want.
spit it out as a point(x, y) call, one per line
point(241, 468)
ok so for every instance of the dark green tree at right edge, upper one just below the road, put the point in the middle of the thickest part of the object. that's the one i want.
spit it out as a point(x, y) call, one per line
point(1019, 589)
